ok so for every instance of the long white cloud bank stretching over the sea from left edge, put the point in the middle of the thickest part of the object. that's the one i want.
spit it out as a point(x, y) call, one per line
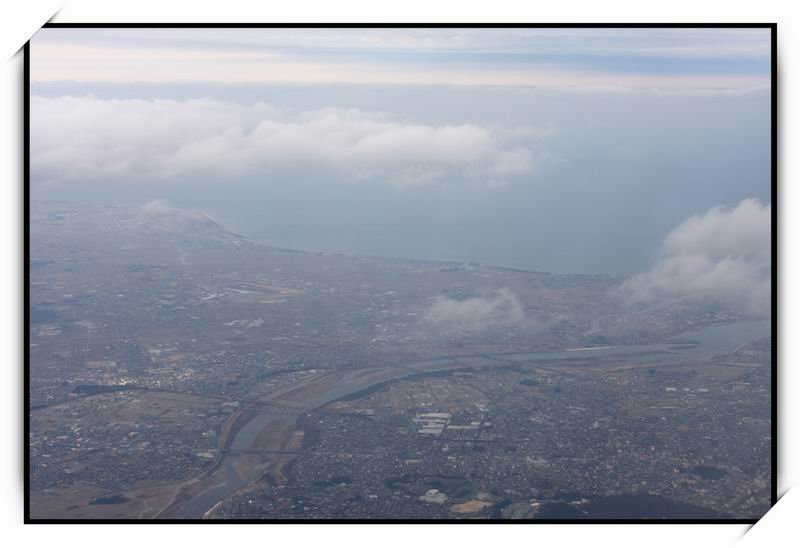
point(86, 138)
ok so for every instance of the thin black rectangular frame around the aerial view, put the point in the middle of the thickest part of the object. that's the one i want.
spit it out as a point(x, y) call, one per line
point(774, 280)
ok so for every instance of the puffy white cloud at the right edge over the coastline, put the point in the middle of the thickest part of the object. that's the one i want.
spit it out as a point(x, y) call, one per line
point(724, 255)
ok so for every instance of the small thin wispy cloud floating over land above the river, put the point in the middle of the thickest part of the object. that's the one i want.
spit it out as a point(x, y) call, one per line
point(498, 308)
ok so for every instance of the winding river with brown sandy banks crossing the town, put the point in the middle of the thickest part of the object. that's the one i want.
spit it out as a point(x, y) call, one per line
point(260, 438)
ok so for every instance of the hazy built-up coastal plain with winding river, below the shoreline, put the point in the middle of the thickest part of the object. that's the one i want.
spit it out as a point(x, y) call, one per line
point(180, 370)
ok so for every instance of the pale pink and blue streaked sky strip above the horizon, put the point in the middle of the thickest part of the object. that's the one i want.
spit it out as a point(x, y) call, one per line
point(620, 58)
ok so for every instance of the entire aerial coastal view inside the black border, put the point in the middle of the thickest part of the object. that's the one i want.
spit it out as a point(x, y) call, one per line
point(457, 274)
